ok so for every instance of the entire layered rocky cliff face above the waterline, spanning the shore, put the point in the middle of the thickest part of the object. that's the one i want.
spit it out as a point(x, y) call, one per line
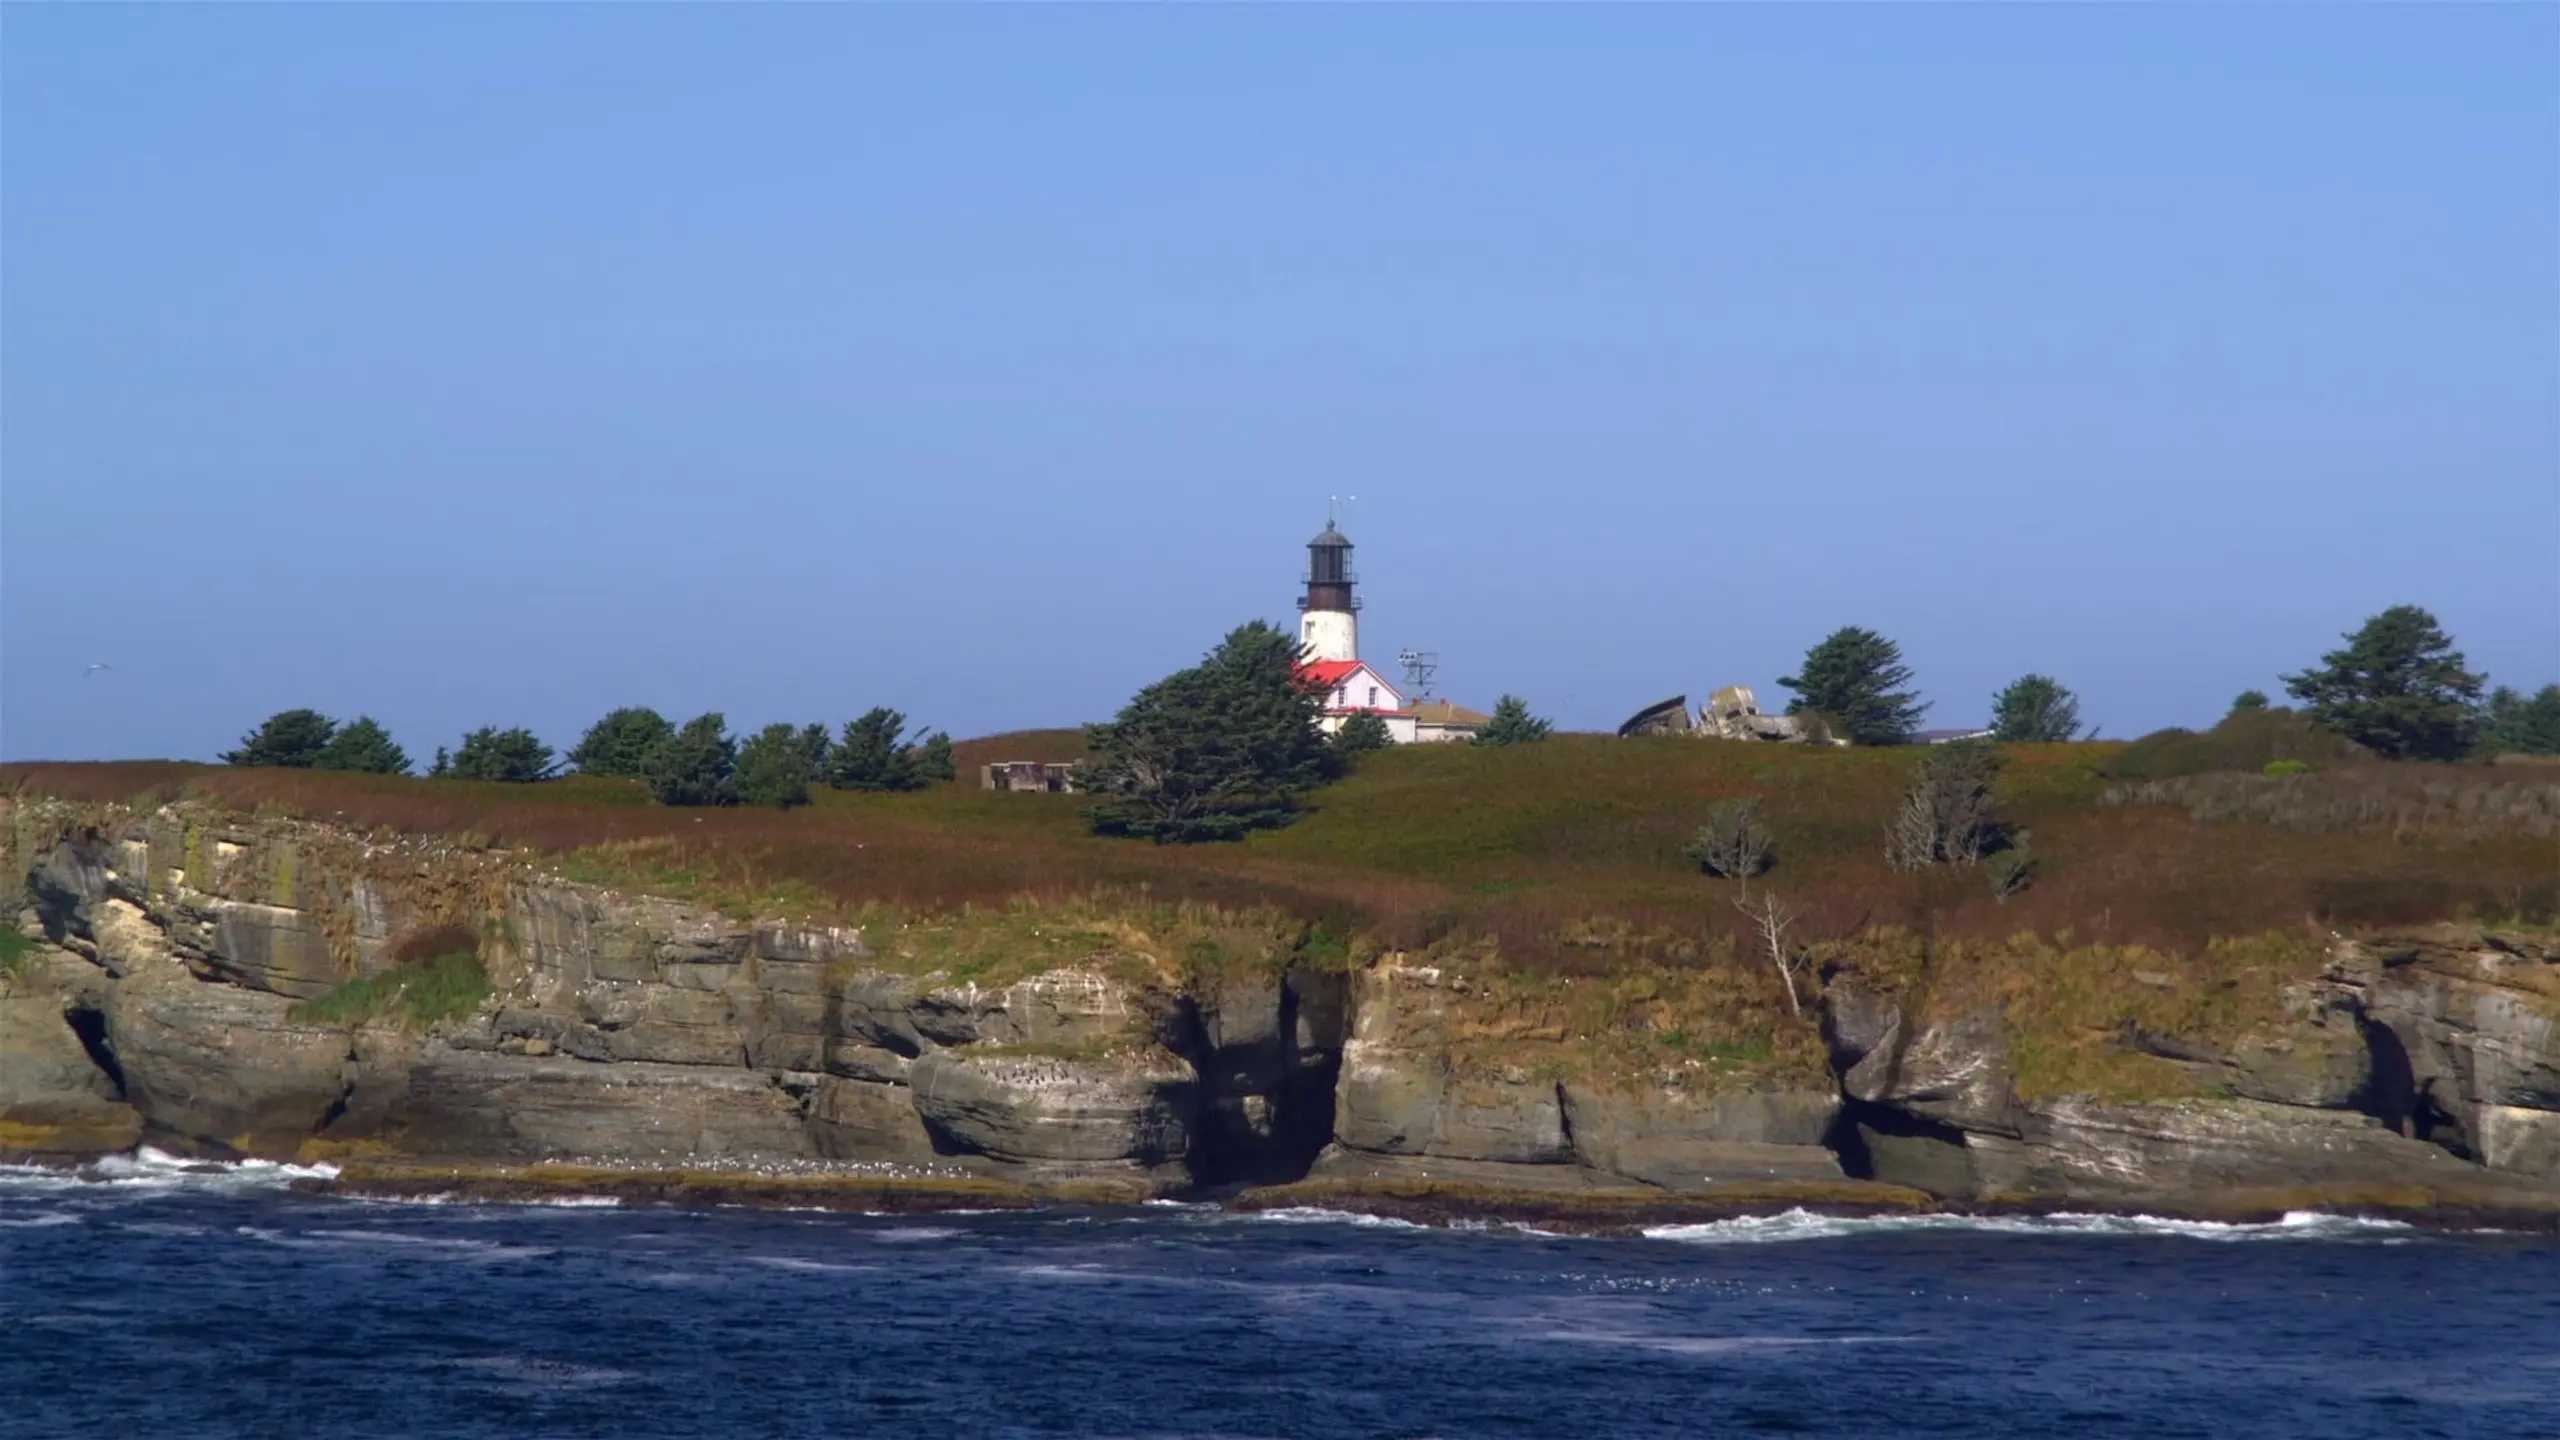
point(639, 1031)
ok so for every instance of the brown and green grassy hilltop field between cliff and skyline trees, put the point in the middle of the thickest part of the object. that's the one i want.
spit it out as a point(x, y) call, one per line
point(1535, 844)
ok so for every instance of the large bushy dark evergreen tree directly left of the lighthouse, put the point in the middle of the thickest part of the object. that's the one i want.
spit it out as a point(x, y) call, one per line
point(1215, 752)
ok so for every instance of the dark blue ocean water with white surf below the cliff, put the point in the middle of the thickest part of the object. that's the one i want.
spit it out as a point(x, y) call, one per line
point(155, 1300)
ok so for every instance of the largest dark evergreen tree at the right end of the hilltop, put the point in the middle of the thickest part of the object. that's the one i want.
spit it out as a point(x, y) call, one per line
point(2397, 688)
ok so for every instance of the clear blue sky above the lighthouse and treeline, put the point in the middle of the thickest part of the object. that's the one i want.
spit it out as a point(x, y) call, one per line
point(503, 365)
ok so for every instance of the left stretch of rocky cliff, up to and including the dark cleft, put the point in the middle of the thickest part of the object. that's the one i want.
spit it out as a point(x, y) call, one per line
point(621, 1029)
